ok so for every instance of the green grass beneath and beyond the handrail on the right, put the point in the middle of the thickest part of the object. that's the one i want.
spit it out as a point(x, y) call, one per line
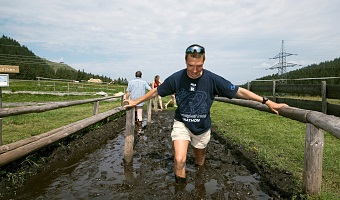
point(278, 142)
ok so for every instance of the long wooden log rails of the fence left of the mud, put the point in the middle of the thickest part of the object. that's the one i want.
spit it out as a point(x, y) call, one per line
point(16, 150)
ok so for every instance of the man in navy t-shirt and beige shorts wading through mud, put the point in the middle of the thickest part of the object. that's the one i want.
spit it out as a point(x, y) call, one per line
point(195, 89)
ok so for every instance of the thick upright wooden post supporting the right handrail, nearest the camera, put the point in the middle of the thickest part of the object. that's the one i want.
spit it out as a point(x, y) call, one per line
point(312, 173)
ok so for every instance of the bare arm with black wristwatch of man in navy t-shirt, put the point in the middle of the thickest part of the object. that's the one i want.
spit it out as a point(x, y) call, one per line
point(246, 94)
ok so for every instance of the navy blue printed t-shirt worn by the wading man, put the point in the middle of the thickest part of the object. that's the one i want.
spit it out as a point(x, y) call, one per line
point(195, 96)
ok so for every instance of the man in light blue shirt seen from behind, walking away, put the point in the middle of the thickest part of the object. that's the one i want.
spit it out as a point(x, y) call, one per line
point(136, 88)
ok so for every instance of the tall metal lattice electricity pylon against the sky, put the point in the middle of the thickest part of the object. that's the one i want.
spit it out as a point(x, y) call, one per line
point(282, 64)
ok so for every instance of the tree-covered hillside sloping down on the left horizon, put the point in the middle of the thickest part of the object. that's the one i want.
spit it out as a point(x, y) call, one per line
point(32, 66)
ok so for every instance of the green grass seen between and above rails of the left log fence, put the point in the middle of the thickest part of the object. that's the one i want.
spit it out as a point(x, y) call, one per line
point(15, 128)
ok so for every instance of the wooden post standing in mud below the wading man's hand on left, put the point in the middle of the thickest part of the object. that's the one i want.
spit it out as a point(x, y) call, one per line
point(129, 134)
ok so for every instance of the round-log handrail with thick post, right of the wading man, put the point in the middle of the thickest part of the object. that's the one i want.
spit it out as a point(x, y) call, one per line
point(316, 123)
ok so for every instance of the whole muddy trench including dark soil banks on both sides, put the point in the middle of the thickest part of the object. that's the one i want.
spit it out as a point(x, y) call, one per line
point(90, 165)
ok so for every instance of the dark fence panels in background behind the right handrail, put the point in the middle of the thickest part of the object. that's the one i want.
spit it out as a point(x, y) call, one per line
point(321, 90)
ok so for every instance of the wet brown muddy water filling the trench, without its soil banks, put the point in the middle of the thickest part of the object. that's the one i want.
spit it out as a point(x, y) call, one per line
point(102, 174)
